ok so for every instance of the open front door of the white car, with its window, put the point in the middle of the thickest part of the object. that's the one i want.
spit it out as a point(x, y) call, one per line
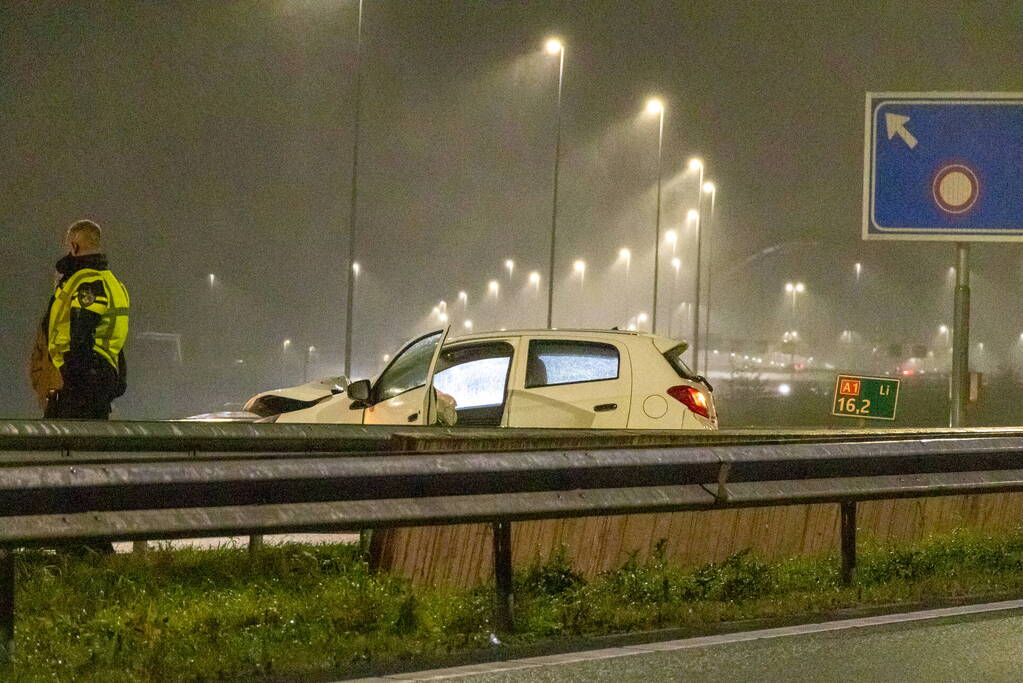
point(404, 394)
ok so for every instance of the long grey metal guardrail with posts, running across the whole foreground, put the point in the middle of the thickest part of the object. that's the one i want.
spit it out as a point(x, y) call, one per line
point(73, 482)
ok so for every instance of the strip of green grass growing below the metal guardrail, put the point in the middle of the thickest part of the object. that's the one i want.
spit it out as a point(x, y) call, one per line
point(318, 611)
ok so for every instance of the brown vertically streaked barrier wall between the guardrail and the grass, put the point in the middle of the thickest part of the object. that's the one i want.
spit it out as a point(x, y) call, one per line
point(462, 556)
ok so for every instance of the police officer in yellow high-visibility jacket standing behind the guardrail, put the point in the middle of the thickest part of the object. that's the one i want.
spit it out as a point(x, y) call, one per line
point(87, 330)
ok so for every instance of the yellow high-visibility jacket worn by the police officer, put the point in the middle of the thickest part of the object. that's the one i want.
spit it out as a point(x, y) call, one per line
point(98, 292)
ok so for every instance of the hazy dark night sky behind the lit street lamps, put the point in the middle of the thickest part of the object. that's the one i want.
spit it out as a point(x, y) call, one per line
point(216, 139)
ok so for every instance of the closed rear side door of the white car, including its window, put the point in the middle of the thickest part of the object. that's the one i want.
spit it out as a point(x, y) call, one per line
point(571, 383)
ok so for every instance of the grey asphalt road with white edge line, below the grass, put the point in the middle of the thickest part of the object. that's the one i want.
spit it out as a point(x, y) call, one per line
point(961, 648)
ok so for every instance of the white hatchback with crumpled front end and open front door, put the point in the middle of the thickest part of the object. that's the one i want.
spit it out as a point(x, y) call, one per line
point(518, 379)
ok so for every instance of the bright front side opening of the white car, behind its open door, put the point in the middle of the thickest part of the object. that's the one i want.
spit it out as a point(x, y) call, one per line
point(475, 375)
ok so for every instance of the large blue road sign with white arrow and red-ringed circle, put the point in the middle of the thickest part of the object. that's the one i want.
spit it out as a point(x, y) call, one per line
point(944, 167)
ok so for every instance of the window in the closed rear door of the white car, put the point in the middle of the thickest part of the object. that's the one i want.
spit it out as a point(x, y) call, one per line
point(553, 362)
